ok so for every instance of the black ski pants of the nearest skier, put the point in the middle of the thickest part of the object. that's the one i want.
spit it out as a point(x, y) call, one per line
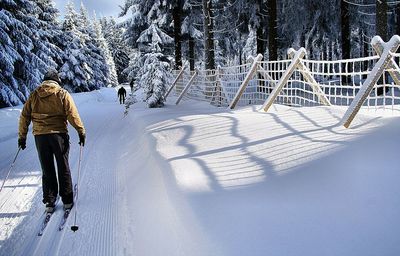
point(50, 146)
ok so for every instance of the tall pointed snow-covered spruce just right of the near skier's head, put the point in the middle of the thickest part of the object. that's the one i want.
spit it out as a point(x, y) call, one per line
point(74, 73)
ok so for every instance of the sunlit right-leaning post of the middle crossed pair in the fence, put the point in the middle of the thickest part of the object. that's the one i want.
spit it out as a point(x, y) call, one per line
point(285, 77)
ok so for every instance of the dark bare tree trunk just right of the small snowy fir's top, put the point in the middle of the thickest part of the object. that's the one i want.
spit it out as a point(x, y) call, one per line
point(177, 16)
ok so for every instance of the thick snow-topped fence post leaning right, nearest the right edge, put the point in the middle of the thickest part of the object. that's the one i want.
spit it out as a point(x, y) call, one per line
point(385, 58)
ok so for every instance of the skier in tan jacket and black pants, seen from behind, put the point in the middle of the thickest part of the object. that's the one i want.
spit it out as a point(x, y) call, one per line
point(49, 108)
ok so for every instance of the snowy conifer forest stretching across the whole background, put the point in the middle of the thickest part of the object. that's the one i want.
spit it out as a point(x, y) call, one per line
point(157, 36)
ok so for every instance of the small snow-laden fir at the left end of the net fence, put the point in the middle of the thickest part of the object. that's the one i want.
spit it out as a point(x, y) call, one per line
point(156, 71)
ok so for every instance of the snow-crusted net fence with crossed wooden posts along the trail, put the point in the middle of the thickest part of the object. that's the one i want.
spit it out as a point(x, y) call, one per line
point(298, 81)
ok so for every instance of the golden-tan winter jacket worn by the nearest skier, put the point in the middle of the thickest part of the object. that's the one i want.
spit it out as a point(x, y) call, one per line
point(49, 107)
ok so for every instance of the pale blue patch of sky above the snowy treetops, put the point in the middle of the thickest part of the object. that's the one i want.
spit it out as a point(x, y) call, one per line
point(102, 7)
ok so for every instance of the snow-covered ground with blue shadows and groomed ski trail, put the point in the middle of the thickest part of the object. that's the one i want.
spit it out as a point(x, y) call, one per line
point(193, 179)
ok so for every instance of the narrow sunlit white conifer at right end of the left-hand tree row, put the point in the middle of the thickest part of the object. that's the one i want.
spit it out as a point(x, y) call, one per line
point(105, 50)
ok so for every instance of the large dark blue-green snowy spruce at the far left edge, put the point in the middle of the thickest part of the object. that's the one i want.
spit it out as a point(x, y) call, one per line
point(25, 53)
